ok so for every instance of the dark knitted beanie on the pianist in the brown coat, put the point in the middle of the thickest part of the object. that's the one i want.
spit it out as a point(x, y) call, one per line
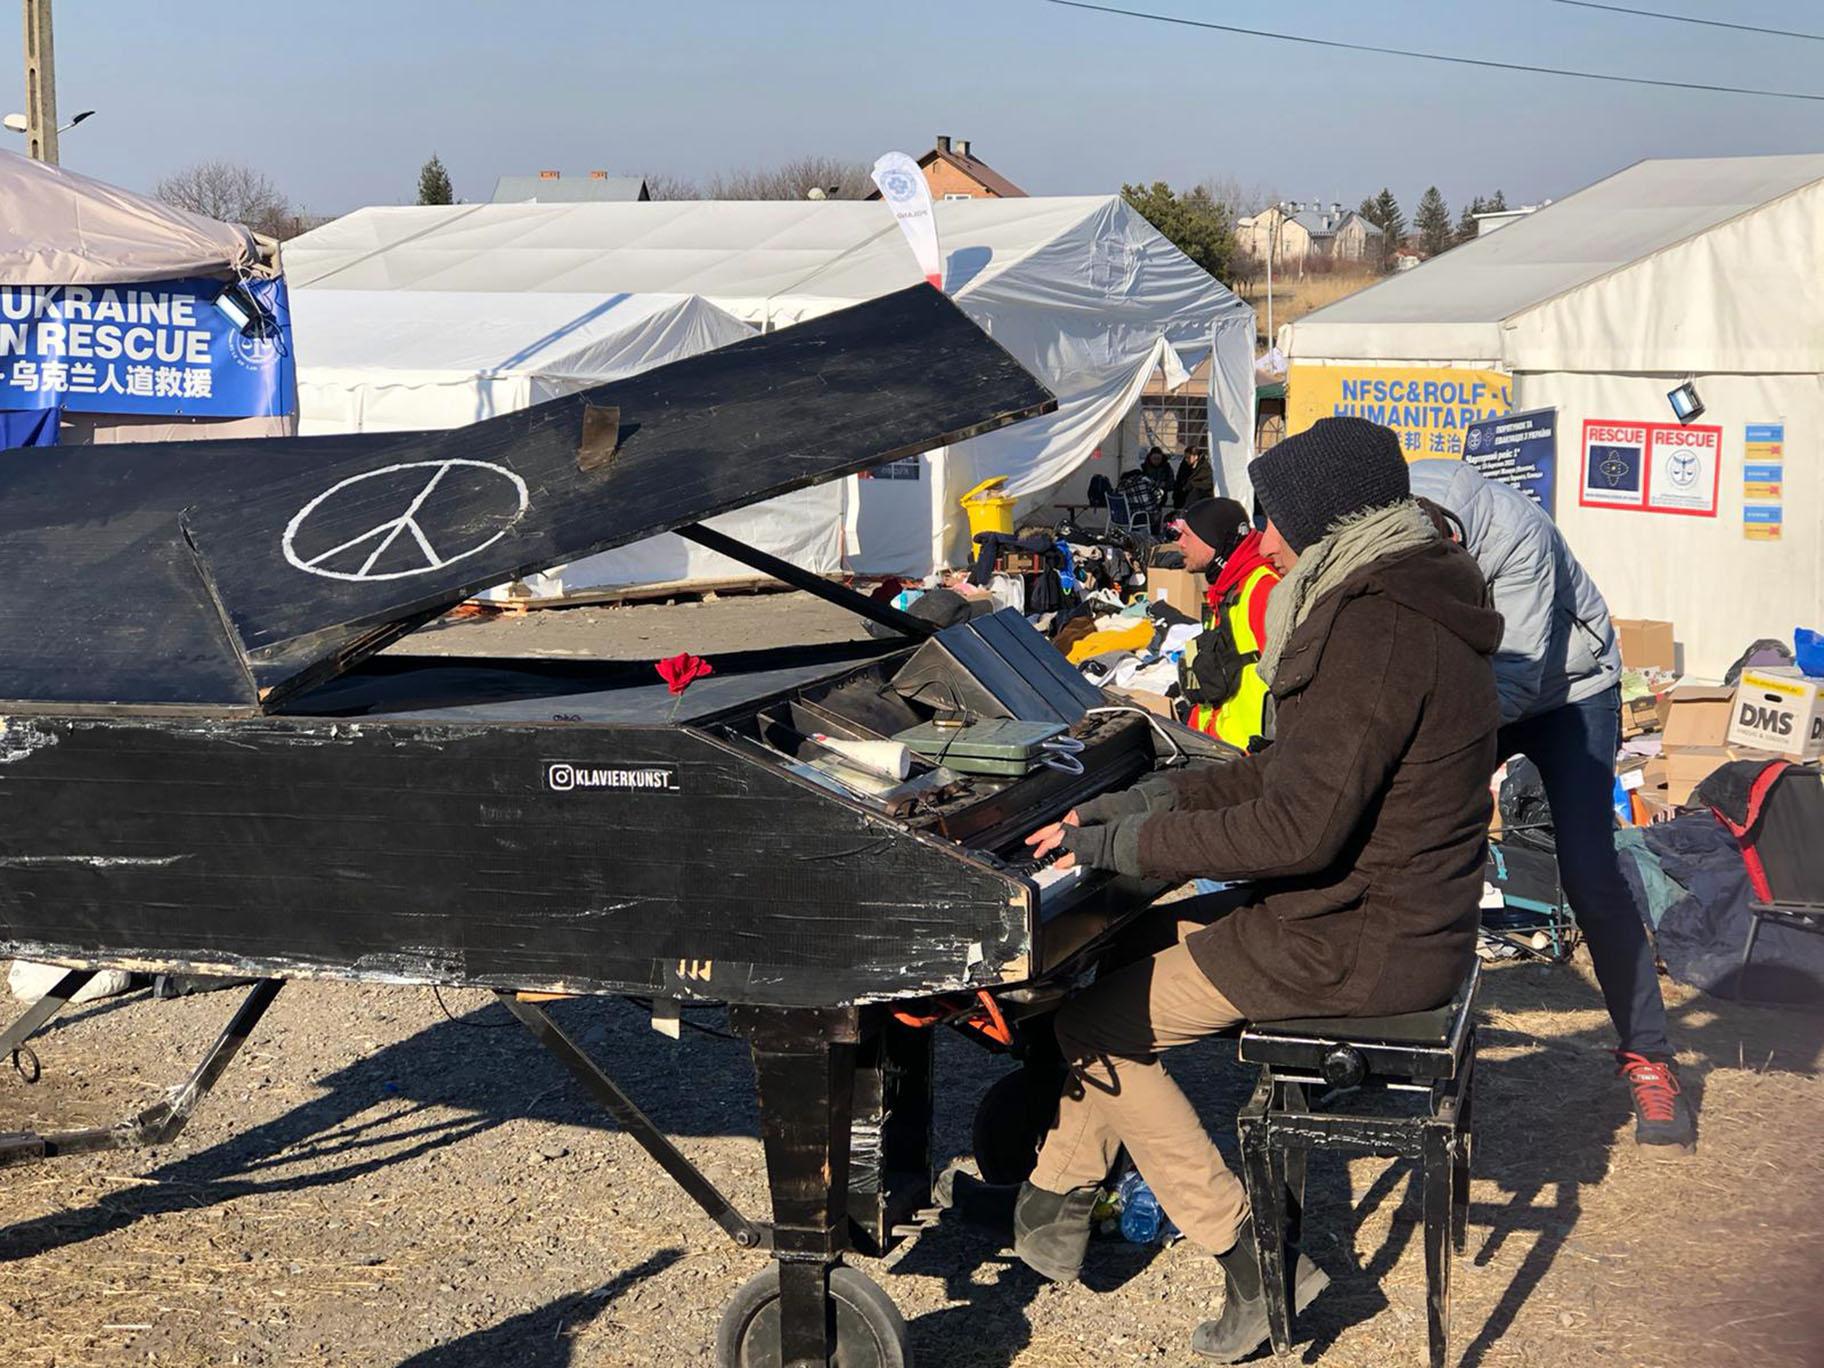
point(1334, 470)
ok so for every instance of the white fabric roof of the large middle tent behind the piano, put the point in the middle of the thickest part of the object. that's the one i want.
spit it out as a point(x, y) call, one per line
point(751, 258)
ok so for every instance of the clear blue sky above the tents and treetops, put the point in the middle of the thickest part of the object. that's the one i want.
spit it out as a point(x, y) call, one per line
point(340, 103)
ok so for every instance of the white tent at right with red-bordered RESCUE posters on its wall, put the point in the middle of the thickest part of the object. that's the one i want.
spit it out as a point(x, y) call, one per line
point(1599, 306)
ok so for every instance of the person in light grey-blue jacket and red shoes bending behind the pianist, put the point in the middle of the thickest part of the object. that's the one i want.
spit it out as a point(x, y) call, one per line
point(1559, 674)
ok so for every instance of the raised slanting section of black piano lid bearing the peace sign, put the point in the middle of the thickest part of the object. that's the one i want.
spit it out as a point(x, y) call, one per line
point(333, 563)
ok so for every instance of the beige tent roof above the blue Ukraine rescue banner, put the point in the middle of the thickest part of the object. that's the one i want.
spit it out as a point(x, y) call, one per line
point(68, 229)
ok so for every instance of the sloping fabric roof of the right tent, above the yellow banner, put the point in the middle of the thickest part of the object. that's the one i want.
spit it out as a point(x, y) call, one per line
point(1456, 304)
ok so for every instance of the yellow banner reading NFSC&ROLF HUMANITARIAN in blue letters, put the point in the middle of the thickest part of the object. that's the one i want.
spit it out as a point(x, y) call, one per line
point(1431, 408)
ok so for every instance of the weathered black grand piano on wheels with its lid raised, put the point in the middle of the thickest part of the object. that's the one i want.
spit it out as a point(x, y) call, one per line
point(209, 767)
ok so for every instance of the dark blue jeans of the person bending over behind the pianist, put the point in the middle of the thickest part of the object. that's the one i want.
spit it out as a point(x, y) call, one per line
point(1575, 751)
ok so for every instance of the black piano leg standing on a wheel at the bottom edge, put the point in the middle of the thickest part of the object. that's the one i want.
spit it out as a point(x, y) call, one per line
point(805, 1073)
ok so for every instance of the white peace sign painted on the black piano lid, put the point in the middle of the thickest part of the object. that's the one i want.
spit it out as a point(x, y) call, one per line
point(504, 501)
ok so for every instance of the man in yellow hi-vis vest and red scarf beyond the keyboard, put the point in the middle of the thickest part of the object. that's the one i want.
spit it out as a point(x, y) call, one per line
point(1218, 674)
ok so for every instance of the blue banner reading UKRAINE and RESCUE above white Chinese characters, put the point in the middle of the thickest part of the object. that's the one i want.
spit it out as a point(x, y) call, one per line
point(143, 349)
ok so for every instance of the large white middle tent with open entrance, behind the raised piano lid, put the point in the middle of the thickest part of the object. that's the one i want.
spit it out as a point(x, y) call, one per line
point(1083, 291)
